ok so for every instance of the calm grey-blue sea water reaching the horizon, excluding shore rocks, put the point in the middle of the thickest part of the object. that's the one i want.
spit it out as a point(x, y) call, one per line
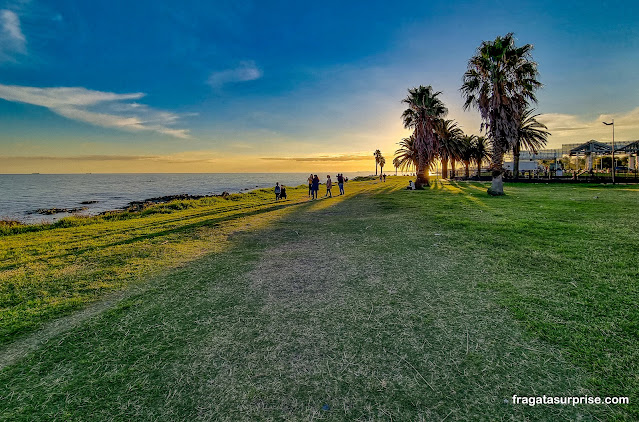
point(21, 194)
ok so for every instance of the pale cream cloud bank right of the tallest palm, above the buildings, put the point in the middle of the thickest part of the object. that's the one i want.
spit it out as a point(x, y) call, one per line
point(570, 128)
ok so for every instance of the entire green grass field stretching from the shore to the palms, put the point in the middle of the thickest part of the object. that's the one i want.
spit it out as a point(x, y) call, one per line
point(385, 304)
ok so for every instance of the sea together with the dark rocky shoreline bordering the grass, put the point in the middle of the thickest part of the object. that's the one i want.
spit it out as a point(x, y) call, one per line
point(57, 197)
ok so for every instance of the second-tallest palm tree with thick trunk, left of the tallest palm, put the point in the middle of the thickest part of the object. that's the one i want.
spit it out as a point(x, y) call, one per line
point(424, 108)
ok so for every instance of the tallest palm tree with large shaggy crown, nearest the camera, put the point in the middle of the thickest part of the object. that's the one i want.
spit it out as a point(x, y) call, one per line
point(500, 82)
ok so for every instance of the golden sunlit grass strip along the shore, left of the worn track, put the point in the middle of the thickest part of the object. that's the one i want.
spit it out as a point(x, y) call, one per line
point(50, 270)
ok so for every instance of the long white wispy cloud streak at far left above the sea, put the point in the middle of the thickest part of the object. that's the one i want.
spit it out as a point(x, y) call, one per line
point(105, 109)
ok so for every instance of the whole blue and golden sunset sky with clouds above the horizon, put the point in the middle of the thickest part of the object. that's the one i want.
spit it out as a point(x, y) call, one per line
point(279, 86)
